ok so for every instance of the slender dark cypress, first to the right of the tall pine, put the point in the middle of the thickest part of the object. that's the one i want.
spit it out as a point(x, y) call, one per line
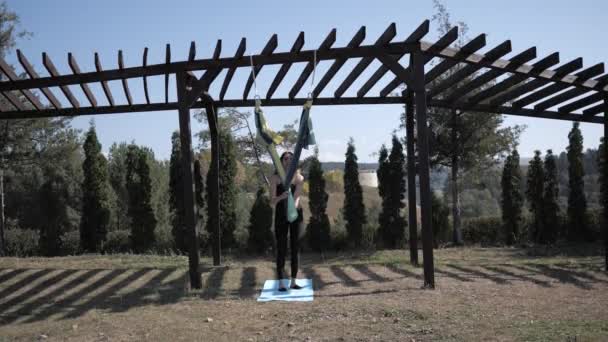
point(512, 198)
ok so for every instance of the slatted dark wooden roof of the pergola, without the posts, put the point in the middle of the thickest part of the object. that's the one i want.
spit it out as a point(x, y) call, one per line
point(522, 84)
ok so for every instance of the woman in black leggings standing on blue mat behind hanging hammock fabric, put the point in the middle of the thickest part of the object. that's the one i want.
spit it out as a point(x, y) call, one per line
point(282, 226)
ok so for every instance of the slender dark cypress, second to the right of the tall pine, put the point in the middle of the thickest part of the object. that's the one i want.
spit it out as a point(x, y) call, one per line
point(535, 195)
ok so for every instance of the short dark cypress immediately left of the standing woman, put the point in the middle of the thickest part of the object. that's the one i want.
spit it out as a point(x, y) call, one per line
point(260, 223)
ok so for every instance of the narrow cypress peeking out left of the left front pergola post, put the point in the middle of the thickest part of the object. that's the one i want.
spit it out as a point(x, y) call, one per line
point(176, 196)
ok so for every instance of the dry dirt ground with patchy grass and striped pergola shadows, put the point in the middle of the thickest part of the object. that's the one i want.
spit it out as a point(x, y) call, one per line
point(481, 295)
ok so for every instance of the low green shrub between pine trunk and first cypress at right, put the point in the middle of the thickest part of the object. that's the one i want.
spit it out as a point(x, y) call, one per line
point(485, 231)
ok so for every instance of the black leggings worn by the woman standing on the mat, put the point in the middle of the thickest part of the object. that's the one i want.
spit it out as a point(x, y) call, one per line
point(282, 226)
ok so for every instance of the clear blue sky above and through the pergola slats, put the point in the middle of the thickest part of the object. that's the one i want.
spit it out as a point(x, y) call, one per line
point(575, 29)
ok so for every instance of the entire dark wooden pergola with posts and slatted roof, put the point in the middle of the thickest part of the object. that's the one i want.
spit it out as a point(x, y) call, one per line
point(520, 84)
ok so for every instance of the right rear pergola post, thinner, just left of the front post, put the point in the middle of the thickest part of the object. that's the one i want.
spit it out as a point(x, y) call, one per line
point(411, 176)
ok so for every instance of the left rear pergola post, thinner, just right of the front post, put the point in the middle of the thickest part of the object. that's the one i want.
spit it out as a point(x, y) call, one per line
point(214, 185)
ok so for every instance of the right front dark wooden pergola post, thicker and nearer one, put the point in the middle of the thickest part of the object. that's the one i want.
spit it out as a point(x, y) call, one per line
point(423, 169)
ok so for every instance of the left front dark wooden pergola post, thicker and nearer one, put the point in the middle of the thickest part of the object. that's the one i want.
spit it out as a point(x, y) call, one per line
point(188, 180)
